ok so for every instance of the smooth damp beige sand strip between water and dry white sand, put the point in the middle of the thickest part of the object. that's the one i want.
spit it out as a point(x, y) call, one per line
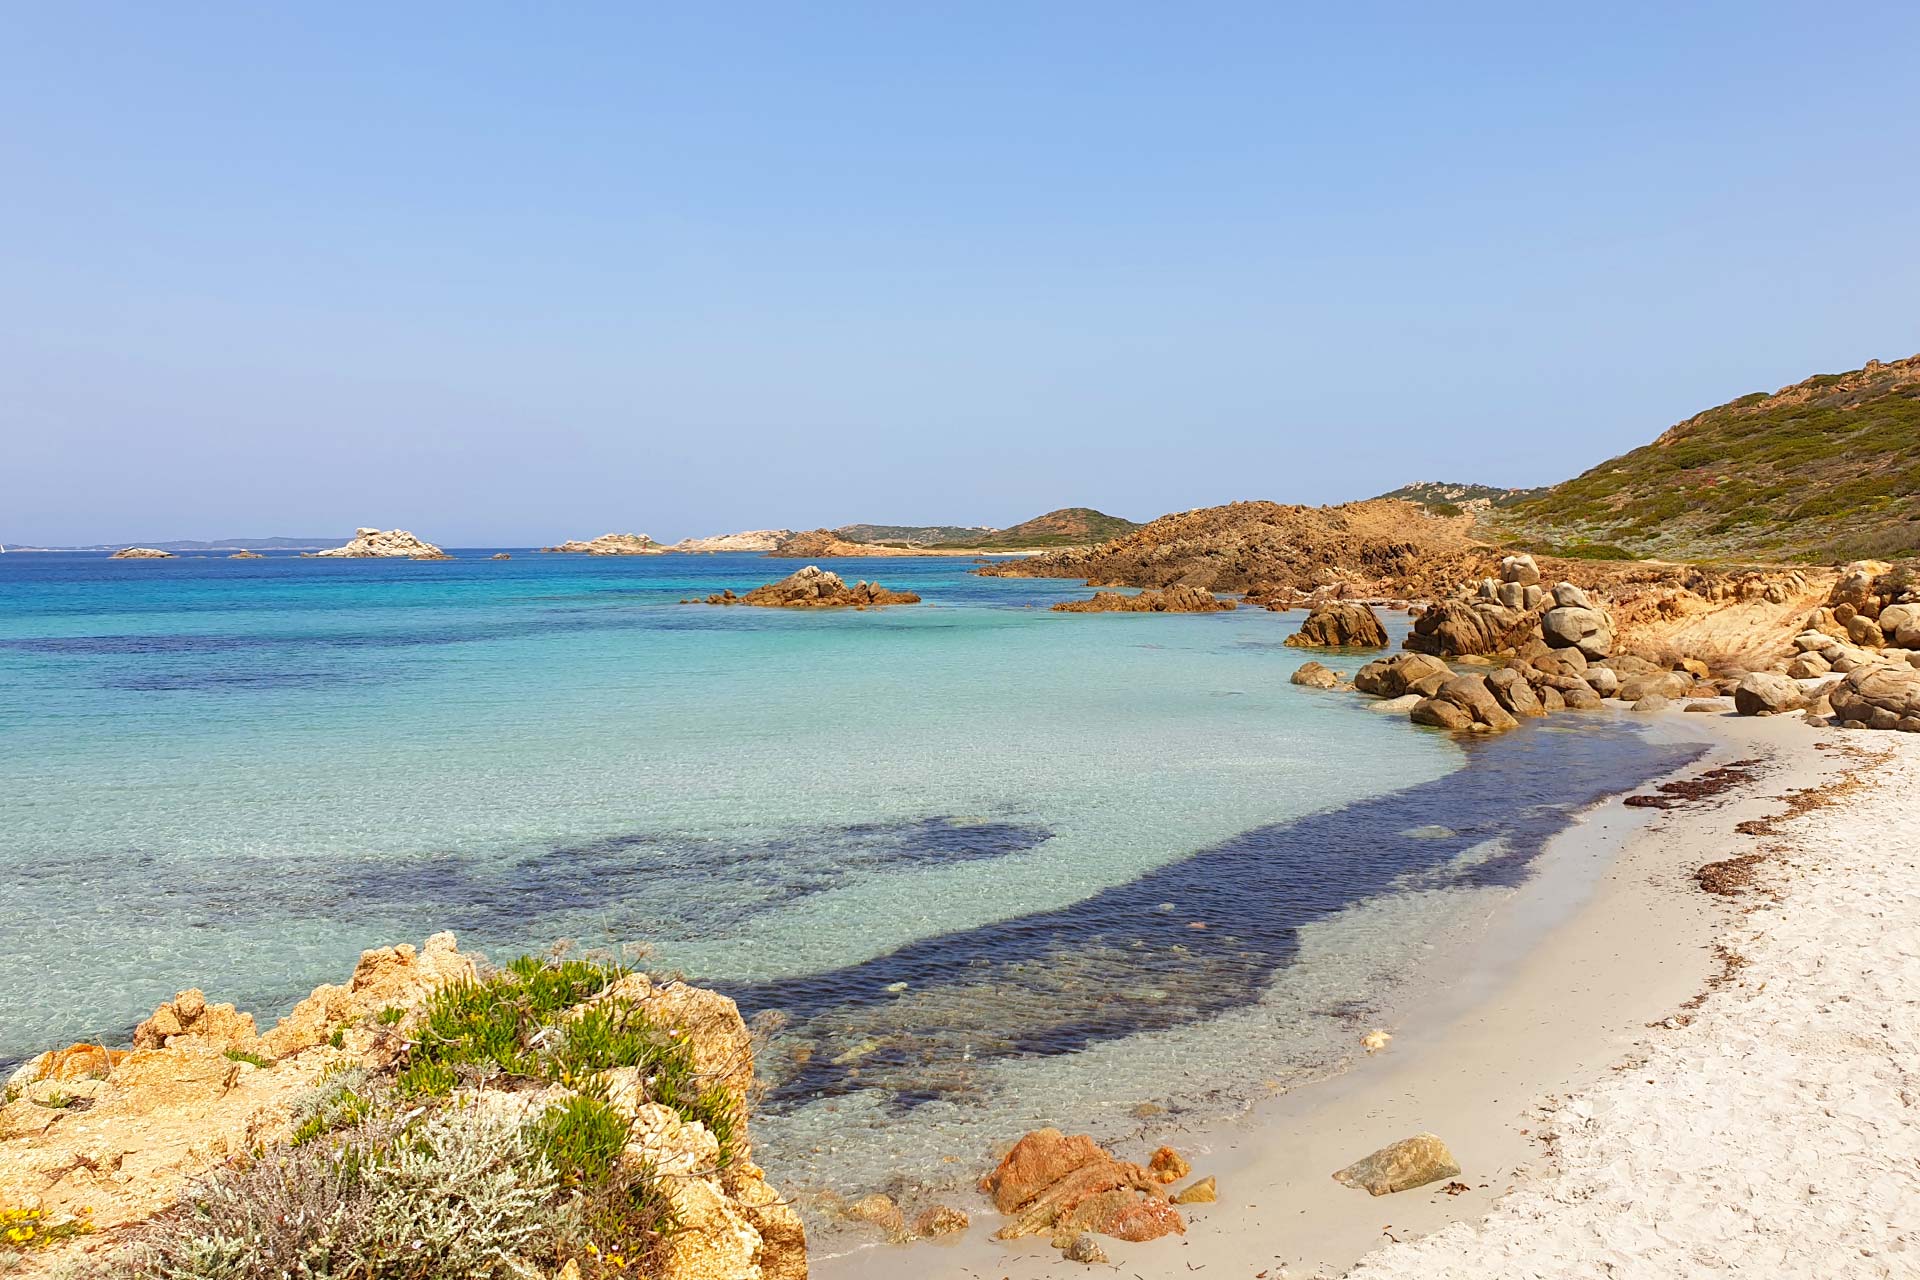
point(1556, 995)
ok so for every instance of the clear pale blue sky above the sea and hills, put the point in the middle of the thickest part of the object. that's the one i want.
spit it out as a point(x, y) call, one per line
point(506, 273)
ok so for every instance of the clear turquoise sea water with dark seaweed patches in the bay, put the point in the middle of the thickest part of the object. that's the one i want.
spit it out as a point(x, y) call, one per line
point(976, 855)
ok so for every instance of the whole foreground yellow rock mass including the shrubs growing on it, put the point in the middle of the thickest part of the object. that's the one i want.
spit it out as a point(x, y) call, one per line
point(542, 1120)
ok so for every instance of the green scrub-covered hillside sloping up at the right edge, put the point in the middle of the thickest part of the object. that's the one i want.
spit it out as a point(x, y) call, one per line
point(1827, 469)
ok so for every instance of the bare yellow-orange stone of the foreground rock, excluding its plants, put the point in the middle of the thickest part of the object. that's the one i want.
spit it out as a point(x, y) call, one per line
point(114, 1137)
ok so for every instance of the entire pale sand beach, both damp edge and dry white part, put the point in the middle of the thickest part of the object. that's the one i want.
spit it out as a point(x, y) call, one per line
point(1625, 1099)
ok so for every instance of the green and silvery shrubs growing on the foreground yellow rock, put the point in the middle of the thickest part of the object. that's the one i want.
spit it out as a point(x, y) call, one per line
point(439, 1166)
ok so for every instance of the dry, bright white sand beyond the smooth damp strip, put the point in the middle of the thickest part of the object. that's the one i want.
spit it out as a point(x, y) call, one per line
point(1779, 1135)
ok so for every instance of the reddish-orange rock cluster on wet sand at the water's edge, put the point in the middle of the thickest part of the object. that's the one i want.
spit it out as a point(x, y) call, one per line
point(1063, 1187)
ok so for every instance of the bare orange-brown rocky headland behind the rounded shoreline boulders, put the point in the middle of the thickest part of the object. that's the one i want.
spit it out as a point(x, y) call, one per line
point(1274, 552)
